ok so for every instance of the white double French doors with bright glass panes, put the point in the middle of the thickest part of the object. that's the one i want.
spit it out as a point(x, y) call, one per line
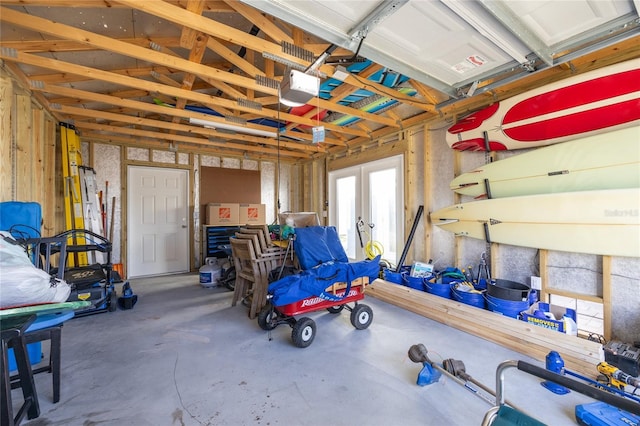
point(371, 192)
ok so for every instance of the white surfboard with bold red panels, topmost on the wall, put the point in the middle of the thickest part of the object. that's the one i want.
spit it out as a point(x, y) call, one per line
point(594, 102)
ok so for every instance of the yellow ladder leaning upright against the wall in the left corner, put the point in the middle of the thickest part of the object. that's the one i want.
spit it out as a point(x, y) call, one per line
point(73, 211)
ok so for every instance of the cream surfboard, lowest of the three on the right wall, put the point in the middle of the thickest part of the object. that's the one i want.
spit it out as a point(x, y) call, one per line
point(604, 222)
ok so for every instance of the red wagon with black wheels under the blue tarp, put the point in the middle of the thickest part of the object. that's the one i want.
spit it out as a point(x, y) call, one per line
point(304, 329)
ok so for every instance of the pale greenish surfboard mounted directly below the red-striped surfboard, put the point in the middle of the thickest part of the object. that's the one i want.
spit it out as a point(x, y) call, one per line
point(604, 161)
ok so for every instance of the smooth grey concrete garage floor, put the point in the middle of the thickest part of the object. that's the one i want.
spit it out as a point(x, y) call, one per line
point(184, 356)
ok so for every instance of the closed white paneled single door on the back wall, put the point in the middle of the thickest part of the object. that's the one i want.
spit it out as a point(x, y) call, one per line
point(158, 229)
